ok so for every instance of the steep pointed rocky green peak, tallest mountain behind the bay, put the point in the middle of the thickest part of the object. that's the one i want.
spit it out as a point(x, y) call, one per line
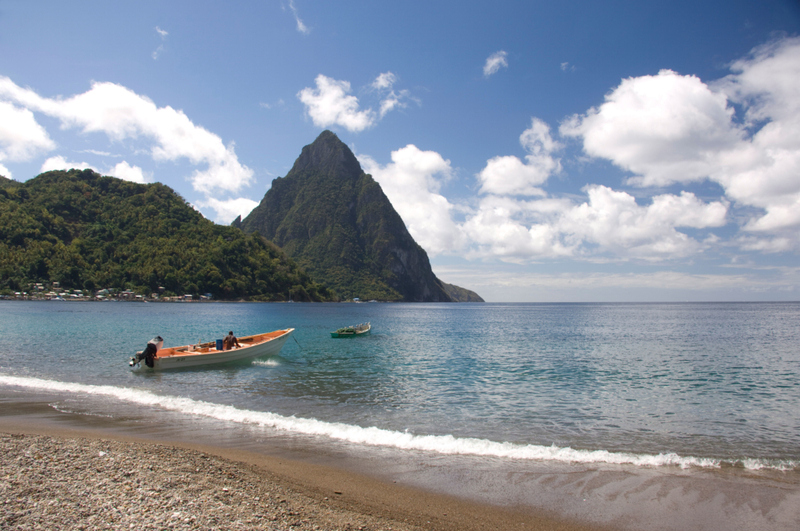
point(336, 222)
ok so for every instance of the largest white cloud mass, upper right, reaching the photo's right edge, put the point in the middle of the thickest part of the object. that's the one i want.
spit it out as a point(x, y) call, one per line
point(672, 128)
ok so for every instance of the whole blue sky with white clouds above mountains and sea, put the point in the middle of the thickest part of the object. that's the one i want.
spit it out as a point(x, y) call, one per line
point(575, 151)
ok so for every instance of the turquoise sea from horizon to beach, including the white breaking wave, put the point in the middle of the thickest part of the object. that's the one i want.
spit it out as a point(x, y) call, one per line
point(649, 384)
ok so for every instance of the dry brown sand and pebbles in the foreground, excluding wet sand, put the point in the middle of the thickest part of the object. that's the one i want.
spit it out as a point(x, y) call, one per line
point(312, 496)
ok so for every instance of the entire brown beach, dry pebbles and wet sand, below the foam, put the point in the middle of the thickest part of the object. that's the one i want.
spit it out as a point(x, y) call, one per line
point(332, 491)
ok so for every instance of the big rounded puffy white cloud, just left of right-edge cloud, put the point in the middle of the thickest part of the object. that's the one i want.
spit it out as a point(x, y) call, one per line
point(666, 128)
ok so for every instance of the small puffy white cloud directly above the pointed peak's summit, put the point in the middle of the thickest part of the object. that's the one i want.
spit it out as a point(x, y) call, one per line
point(330, 104)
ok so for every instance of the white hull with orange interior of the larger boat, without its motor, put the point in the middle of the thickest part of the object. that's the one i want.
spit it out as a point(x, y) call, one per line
point(253, 347)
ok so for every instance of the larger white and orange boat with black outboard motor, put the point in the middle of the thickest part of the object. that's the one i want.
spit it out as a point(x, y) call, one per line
point(211, 353)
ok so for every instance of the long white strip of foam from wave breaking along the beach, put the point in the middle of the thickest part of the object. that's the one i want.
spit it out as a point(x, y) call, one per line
point(373, 436)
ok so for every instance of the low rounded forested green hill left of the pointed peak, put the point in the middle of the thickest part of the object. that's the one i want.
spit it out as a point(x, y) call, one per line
point(90, 232)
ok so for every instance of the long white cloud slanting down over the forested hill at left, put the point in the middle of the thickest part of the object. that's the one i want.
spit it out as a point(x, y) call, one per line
point(121, 114)
